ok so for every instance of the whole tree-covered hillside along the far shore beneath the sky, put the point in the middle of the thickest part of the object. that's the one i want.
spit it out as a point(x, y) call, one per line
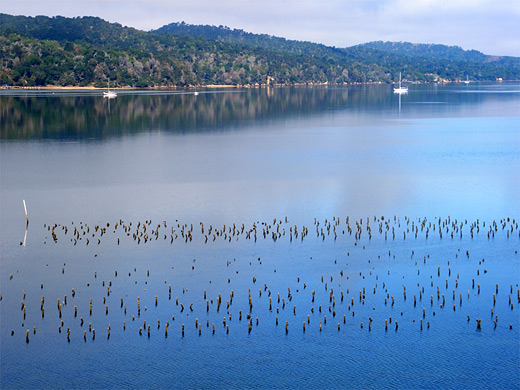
point(88, 51)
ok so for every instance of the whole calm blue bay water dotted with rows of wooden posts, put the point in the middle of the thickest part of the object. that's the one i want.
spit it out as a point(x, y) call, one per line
point(266, 161)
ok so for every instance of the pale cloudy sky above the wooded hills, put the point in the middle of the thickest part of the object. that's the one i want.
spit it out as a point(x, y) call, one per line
point(490, 26)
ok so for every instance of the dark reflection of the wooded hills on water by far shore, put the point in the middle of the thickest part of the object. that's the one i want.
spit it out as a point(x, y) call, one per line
point(63, 116)
